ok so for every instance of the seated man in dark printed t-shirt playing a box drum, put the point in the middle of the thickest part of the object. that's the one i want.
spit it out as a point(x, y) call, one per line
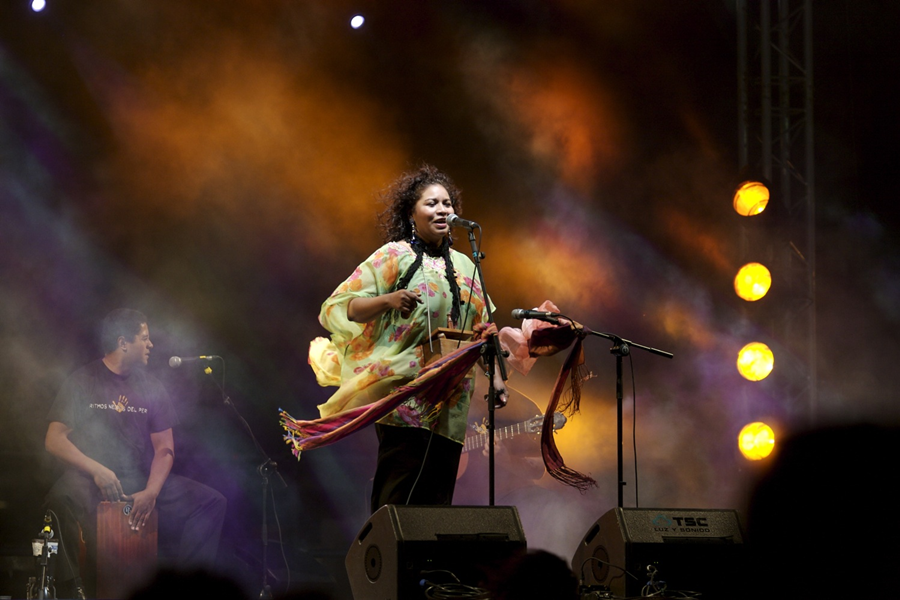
point(111, 423)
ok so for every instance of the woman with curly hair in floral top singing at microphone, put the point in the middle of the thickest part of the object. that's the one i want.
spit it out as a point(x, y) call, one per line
point(391, 304)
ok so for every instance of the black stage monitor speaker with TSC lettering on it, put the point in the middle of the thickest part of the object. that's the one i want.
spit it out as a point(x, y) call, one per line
point(699, 550)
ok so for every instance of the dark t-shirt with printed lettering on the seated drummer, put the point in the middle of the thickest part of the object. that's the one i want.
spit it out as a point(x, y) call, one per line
point(112, 416)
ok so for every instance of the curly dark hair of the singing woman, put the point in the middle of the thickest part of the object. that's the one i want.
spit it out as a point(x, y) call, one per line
point(401, 196)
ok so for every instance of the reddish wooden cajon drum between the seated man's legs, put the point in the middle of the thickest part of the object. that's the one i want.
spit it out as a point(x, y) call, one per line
point(125, 558)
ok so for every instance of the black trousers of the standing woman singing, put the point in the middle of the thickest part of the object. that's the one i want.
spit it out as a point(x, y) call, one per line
point(401, 452)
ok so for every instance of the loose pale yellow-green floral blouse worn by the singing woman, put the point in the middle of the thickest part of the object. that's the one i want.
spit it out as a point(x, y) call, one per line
point(369, 360)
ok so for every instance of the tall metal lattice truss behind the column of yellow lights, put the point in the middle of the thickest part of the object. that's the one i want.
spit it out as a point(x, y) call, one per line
point(775, 73)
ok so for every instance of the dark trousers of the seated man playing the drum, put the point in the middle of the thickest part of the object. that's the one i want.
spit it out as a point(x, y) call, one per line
point(187, 509)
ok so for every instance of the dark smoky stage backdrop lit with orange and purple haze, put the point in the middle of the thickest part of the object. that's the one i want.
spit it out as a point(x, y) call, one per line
point(215, 165)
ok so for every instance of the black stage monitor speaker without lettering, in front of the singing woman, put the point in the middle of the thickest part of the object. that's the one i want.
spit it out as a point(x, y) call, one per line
point(399, 545)
